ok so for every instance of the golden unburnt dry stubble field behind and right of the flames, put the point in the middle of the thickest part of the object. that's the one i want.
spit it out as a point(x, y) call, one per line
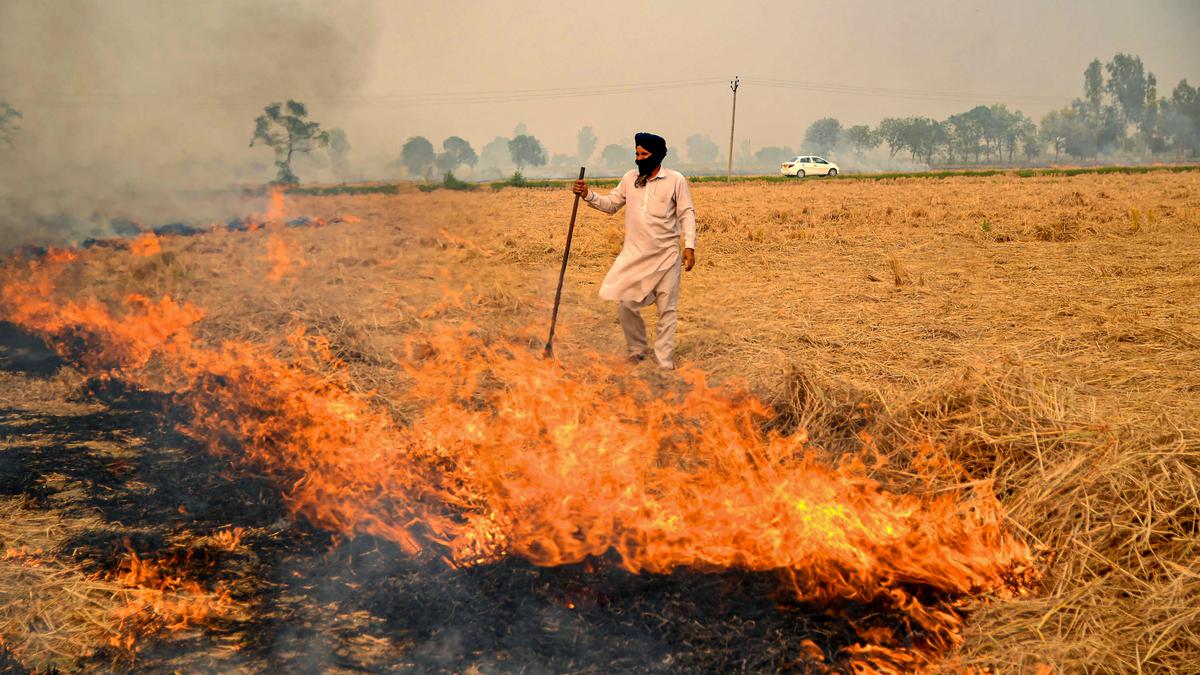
point(1045, 331)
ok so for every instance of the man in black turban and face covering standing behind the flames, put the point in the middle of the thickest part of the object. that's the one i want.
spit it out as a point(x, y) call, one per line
point(647, 271)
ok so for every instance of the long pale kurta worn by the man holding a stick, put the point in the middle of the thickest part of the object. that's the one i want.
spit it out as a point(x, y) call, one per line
point(656, 217)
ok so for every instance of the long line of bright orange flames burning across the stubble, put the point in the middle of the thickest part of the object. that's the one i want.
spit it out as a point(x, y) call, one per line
point(514, 456)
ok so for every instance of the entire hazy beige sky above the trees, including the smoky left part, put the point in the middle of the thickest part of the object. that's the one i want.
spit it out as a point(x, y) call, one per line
point(116, 87)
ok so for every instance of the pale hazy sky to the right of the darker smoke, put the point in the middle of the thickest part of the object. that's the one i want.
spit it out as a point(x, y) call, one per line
point(1024, 50)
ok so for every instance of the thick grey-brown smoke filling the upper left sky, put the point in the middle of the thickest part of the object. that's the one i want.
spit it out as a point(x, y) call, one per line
point(143, 111)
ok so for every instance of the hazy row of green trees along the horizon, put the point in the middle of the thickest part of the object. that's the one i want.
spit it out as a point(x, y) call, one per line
point(1120, 114)
